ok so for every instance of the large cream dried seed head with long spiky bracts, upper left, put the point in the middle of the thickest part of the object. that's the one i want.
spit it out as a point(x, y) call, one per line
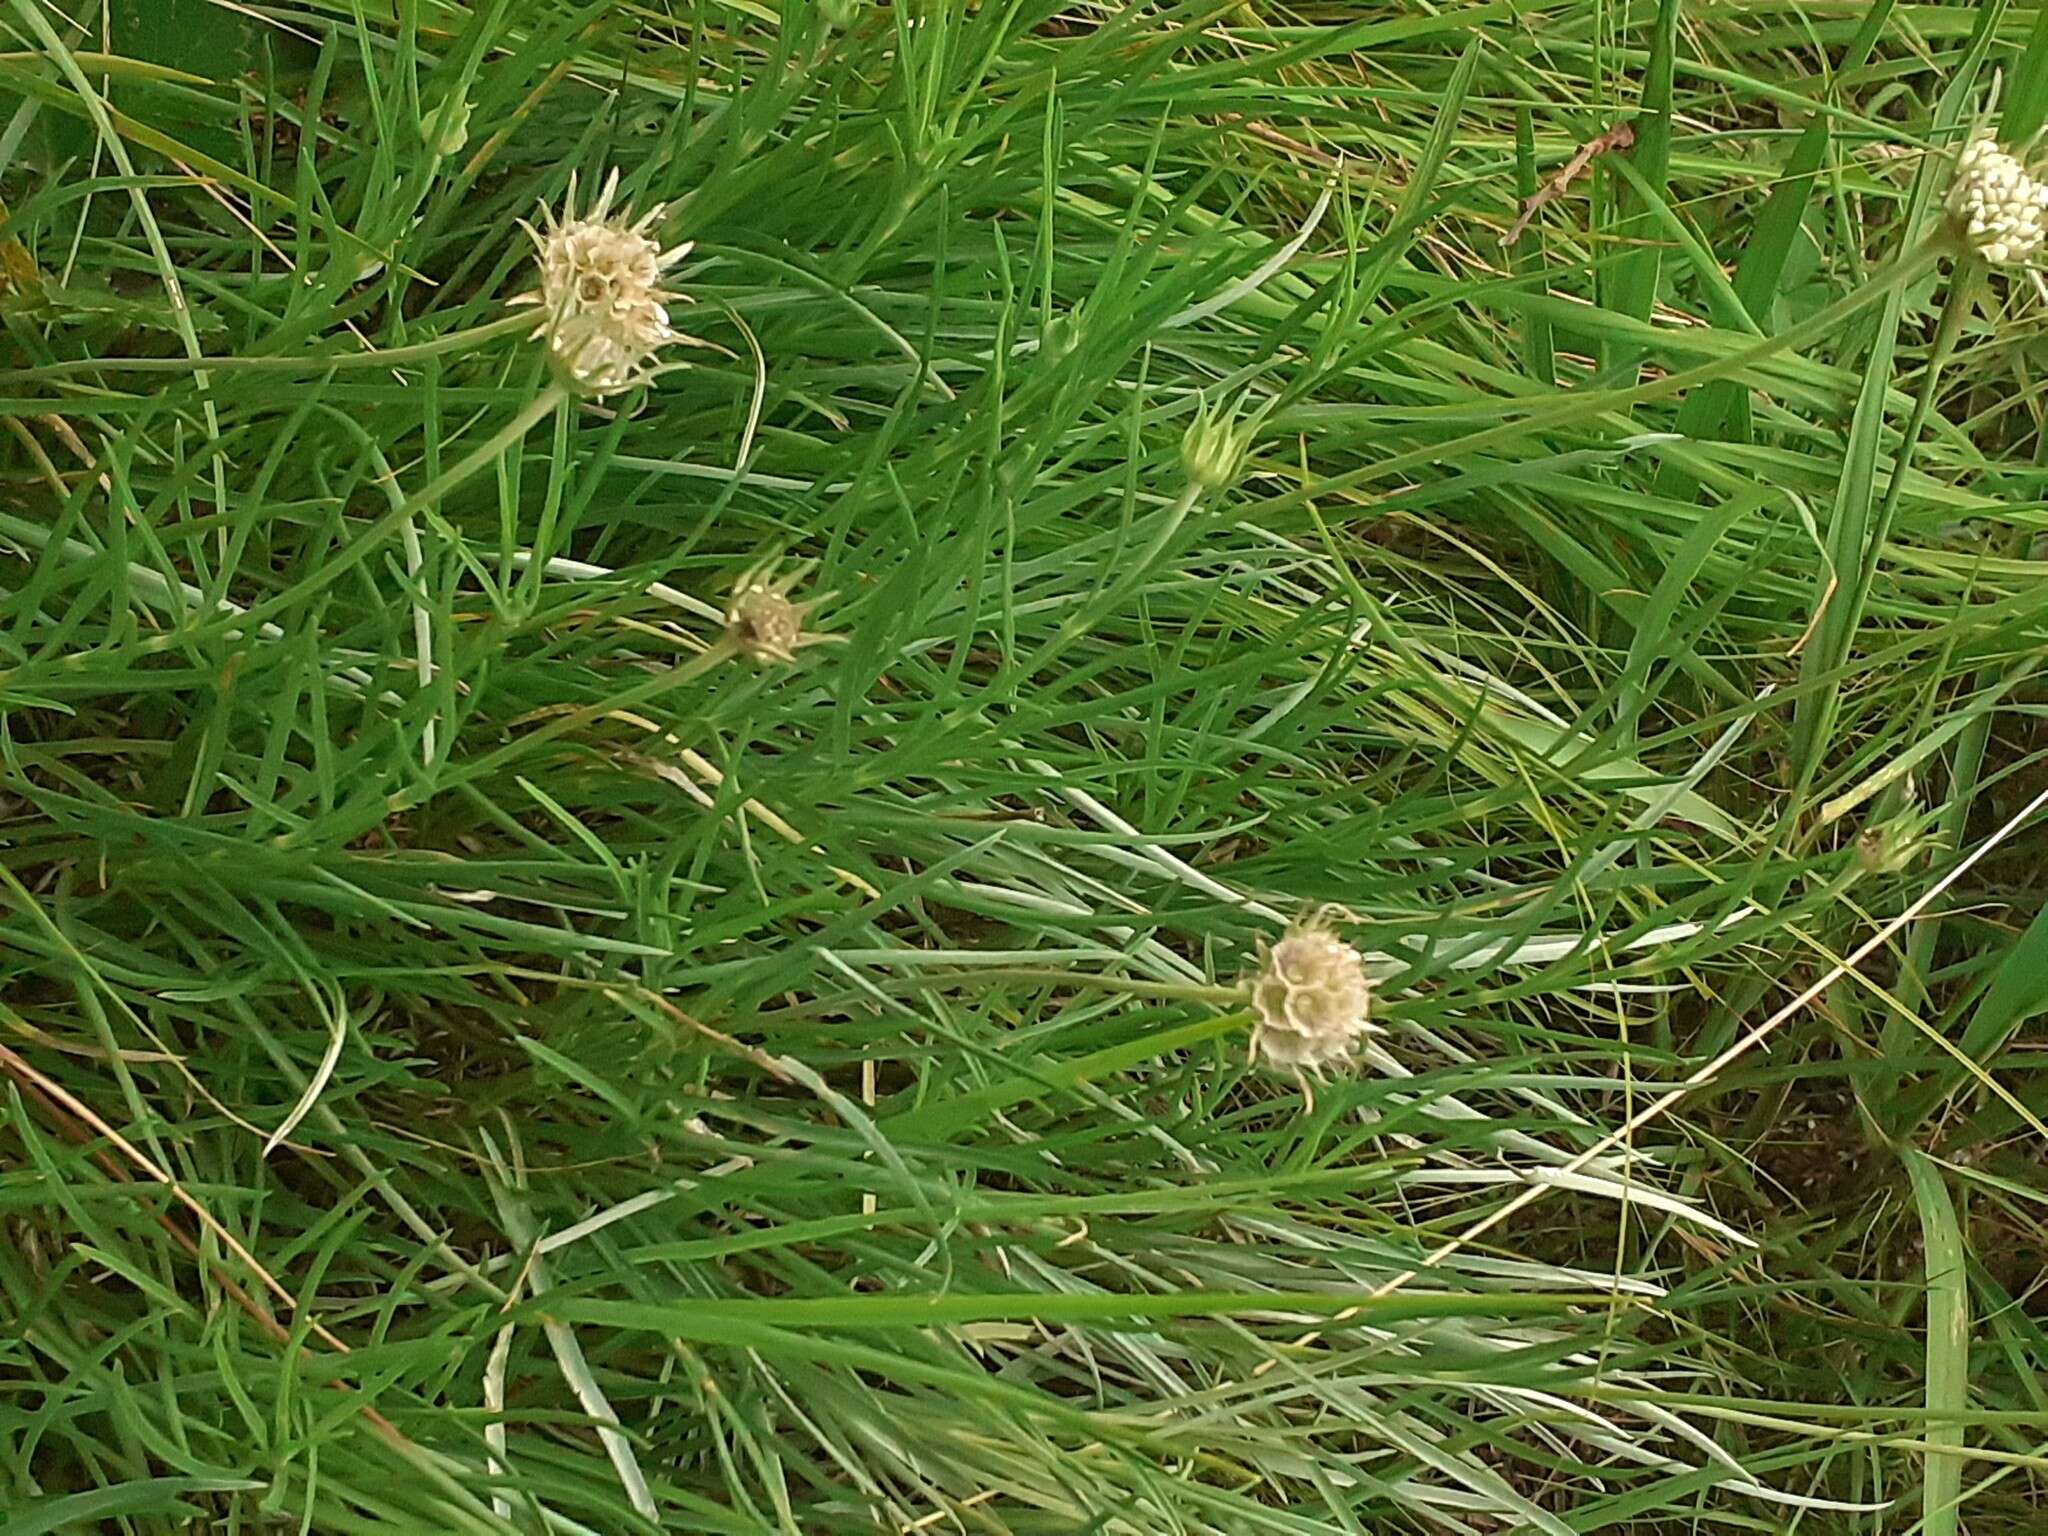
point(603, 306)
